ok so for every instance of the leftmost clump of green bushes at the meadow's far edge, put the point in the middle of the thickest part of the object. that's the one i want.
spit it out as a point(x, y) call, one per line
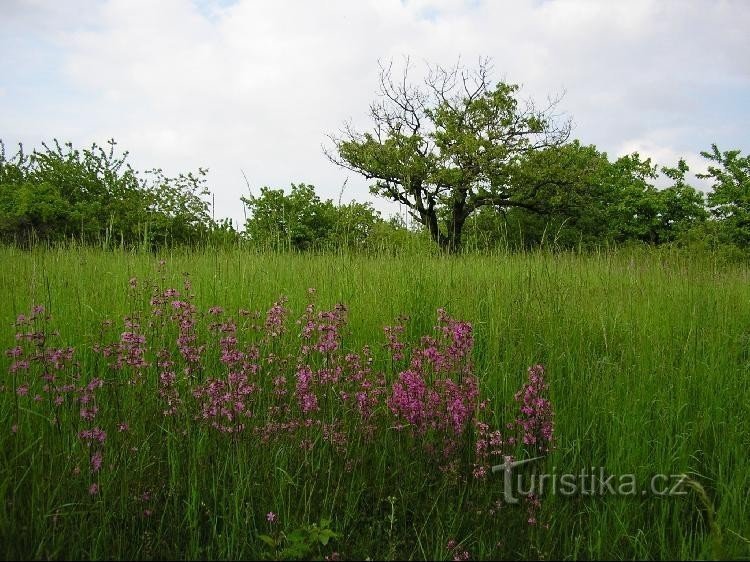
point(94, 196)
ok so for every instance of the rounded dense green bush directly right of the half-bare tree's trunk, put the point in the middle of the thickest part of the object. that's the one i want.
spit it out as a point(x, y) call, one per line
point(580, 199)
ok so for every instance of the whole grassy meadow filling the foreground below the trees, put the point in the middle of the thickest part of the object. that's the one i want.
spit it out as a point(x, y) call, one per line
point(646, 357)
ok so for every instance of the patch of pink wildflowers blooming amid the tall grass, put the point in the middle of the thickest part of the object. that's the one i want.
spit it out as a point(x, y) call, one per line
point(248, 376)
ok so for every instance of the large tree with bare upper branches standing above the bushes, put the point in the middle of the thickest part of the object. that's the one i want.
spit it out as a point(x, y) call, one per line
point(448, 146)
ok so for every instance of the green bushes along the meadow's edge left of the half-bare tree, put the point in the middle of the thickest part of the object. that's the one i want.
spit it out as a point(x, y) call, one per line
point(61, 194)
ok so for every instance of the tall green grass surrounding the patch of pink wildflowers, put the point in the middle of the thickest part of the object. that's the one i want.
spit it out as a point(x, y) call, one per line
point(646, 355)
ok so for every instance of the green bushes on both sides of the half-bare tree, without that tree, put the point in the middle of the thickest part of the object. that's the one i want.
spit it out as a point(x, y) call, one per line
point(582, 200)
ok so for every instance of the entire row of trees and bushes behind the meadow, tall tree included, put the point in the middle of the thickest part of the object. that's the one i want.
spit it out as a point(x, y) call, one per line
point(473, 168)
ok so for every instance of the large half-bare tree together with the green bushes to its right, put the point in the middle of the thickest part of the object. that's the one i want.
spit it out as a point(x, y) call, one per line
point(464, 154)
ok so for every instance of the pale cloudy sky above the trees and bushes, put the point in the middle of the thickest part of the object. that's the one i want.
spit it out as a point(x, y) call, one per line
point(257, 86)
